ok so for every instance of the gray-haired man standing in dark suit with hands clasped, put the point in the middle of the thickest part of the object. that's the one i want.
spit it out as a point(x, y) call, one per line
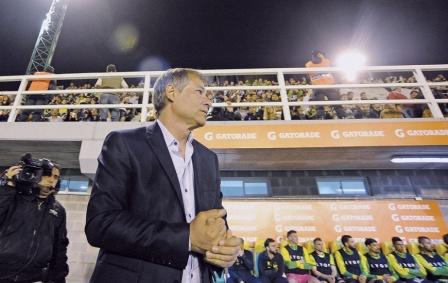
point(155, 211)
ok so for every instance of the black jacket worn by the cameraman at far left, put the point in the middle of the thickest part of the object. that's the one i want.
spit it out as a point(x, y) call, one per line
point(33, 237)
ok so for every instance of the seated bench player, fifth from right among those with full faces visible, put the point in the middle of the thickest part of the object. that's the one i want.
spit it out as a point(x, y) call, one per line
point(324, 267)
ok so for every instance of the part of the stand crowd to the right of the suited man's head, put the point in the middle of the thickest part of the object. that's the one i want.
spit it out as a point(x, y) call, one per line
point(348, 111)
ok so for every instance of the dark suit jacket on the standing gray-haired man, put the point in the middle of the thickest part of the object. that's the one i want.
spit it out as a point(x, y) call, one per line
point(136, 214)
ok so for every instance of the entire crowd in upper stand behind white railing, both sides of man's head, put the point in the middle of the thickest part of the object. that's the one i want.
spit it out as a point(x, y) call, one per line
point(347, 111)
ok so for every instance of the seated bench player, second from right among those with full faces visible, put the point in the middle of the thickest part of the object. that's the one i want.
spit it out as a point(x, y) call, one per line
point(406, 265)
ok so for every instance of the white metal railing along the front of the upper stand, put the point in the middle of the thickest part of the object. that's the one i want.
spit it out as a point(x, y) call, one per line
point(416, 70)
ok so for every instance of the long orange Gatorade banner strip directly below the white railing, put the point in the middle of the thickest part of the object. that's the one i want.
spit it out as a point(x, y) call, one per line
point(314, 134)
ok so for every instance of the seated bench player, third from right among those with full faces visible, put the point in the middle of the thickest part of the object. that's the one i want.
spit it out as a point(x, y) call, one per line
point(376, 265)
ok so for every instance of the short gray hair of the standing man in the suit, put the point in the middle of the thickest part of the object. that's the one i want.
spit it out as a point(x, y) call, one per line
point(178, 77)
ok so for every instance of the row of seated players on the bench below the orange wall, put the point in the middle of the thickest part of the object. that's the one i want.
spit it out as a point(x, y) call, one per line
point(347, 261)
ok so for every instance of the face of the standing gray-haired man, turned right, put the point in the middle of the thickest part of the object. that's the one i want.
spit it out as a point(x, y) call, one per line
point(191, 104)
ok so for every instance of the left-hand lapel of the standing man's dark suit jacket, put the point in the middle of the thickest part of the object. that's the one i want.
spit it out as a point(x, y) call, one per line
point(155, 139)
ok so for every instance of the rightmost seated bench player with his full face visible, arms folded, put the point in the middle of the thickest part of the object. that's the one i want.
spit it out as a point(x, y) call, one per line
point(436, 267)
